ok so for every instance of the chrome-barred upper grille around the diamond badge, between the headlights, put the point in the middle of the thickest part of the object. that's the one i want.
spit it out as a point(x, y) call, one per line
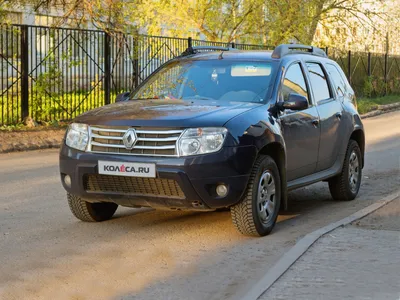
point(150, 142)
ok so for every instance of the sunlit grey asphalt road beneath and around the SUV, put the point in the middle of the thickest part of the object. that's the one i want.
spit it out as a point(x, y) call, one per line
point(45, 253)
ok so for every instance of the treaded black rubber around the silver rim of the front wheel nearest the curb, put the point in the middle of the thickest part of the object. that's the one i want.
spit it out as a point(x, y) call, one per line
point(245, 215)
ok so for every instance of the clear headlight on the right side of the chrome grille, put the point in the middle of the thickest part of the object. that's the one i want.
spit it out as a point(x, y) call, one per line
point(201, 140)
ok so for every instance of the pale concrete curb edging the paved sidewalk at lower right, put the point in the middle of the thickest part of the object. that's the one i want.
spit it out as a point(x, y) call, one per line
point(290, 257)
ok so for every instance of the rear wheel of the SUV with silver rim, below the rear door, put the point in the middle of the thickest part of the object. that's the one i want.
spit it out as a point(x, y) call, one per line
point(345, 186)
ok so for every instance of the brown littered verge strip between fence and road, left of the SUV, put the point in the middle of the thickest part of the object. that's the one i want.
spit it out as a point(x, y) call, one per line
point(34, 139)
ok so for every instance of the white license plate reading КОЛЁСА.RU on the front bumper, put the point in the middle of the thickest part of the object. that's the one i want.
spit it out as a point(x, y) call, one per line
point(127, 169)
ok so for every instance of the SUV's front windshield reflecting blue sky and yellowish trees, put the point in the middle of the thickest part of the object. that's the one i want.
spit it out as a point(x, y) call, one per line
point(222, 80)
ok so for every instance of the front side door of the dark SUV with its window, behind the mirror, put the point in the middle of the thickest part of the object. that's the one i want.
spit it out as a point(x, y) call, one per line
point(301, 129)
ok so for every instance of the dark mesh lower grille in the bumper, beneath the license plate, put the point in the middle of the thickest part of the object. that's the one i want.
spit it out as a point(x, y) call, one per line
point(139, 186)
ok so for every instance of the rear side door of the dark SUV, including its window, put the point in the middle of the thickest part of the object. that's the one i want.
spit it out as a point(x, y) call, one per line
point(330, 111)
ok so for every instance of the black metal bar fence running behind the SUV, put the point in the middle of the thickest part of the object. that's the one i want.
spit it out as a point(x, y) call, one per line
point(57, 73)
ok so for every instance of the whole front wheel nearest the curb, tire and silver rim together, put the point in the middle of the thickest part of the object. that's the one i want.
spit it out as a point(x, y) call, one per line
point(251, 216)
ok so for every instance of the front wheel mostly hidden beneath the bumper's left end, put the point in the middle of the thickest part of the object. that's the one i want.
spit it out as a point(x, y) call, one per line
point(91, 212)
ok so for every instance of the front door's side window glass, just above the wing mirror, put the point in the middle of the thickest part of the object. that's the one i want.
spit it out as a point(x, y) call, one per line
point(294, 82)
